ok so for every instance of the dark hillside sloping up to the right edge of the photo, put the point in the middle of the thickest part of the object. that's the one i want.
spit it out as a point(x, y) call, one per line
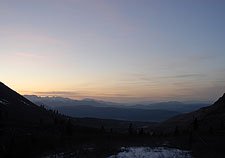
point(211, 117)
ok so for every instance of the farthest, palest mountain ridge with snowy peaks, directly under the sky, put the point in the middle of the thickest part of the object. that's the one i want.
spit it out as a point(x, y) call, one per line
point(170, 105)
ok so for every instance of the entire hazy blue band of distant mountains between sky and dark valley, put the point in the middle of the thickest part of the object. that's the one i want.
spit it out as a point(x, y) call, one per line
point(109, 110)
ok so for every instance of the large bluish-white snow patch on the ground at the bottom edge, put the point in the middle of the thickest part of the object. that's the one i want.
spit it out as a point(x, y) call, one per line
point(147, 152)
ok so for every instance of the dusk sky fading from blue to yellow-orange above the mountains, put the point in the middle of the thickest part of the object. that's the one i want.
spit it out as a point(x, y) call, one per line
point(114, 50)
